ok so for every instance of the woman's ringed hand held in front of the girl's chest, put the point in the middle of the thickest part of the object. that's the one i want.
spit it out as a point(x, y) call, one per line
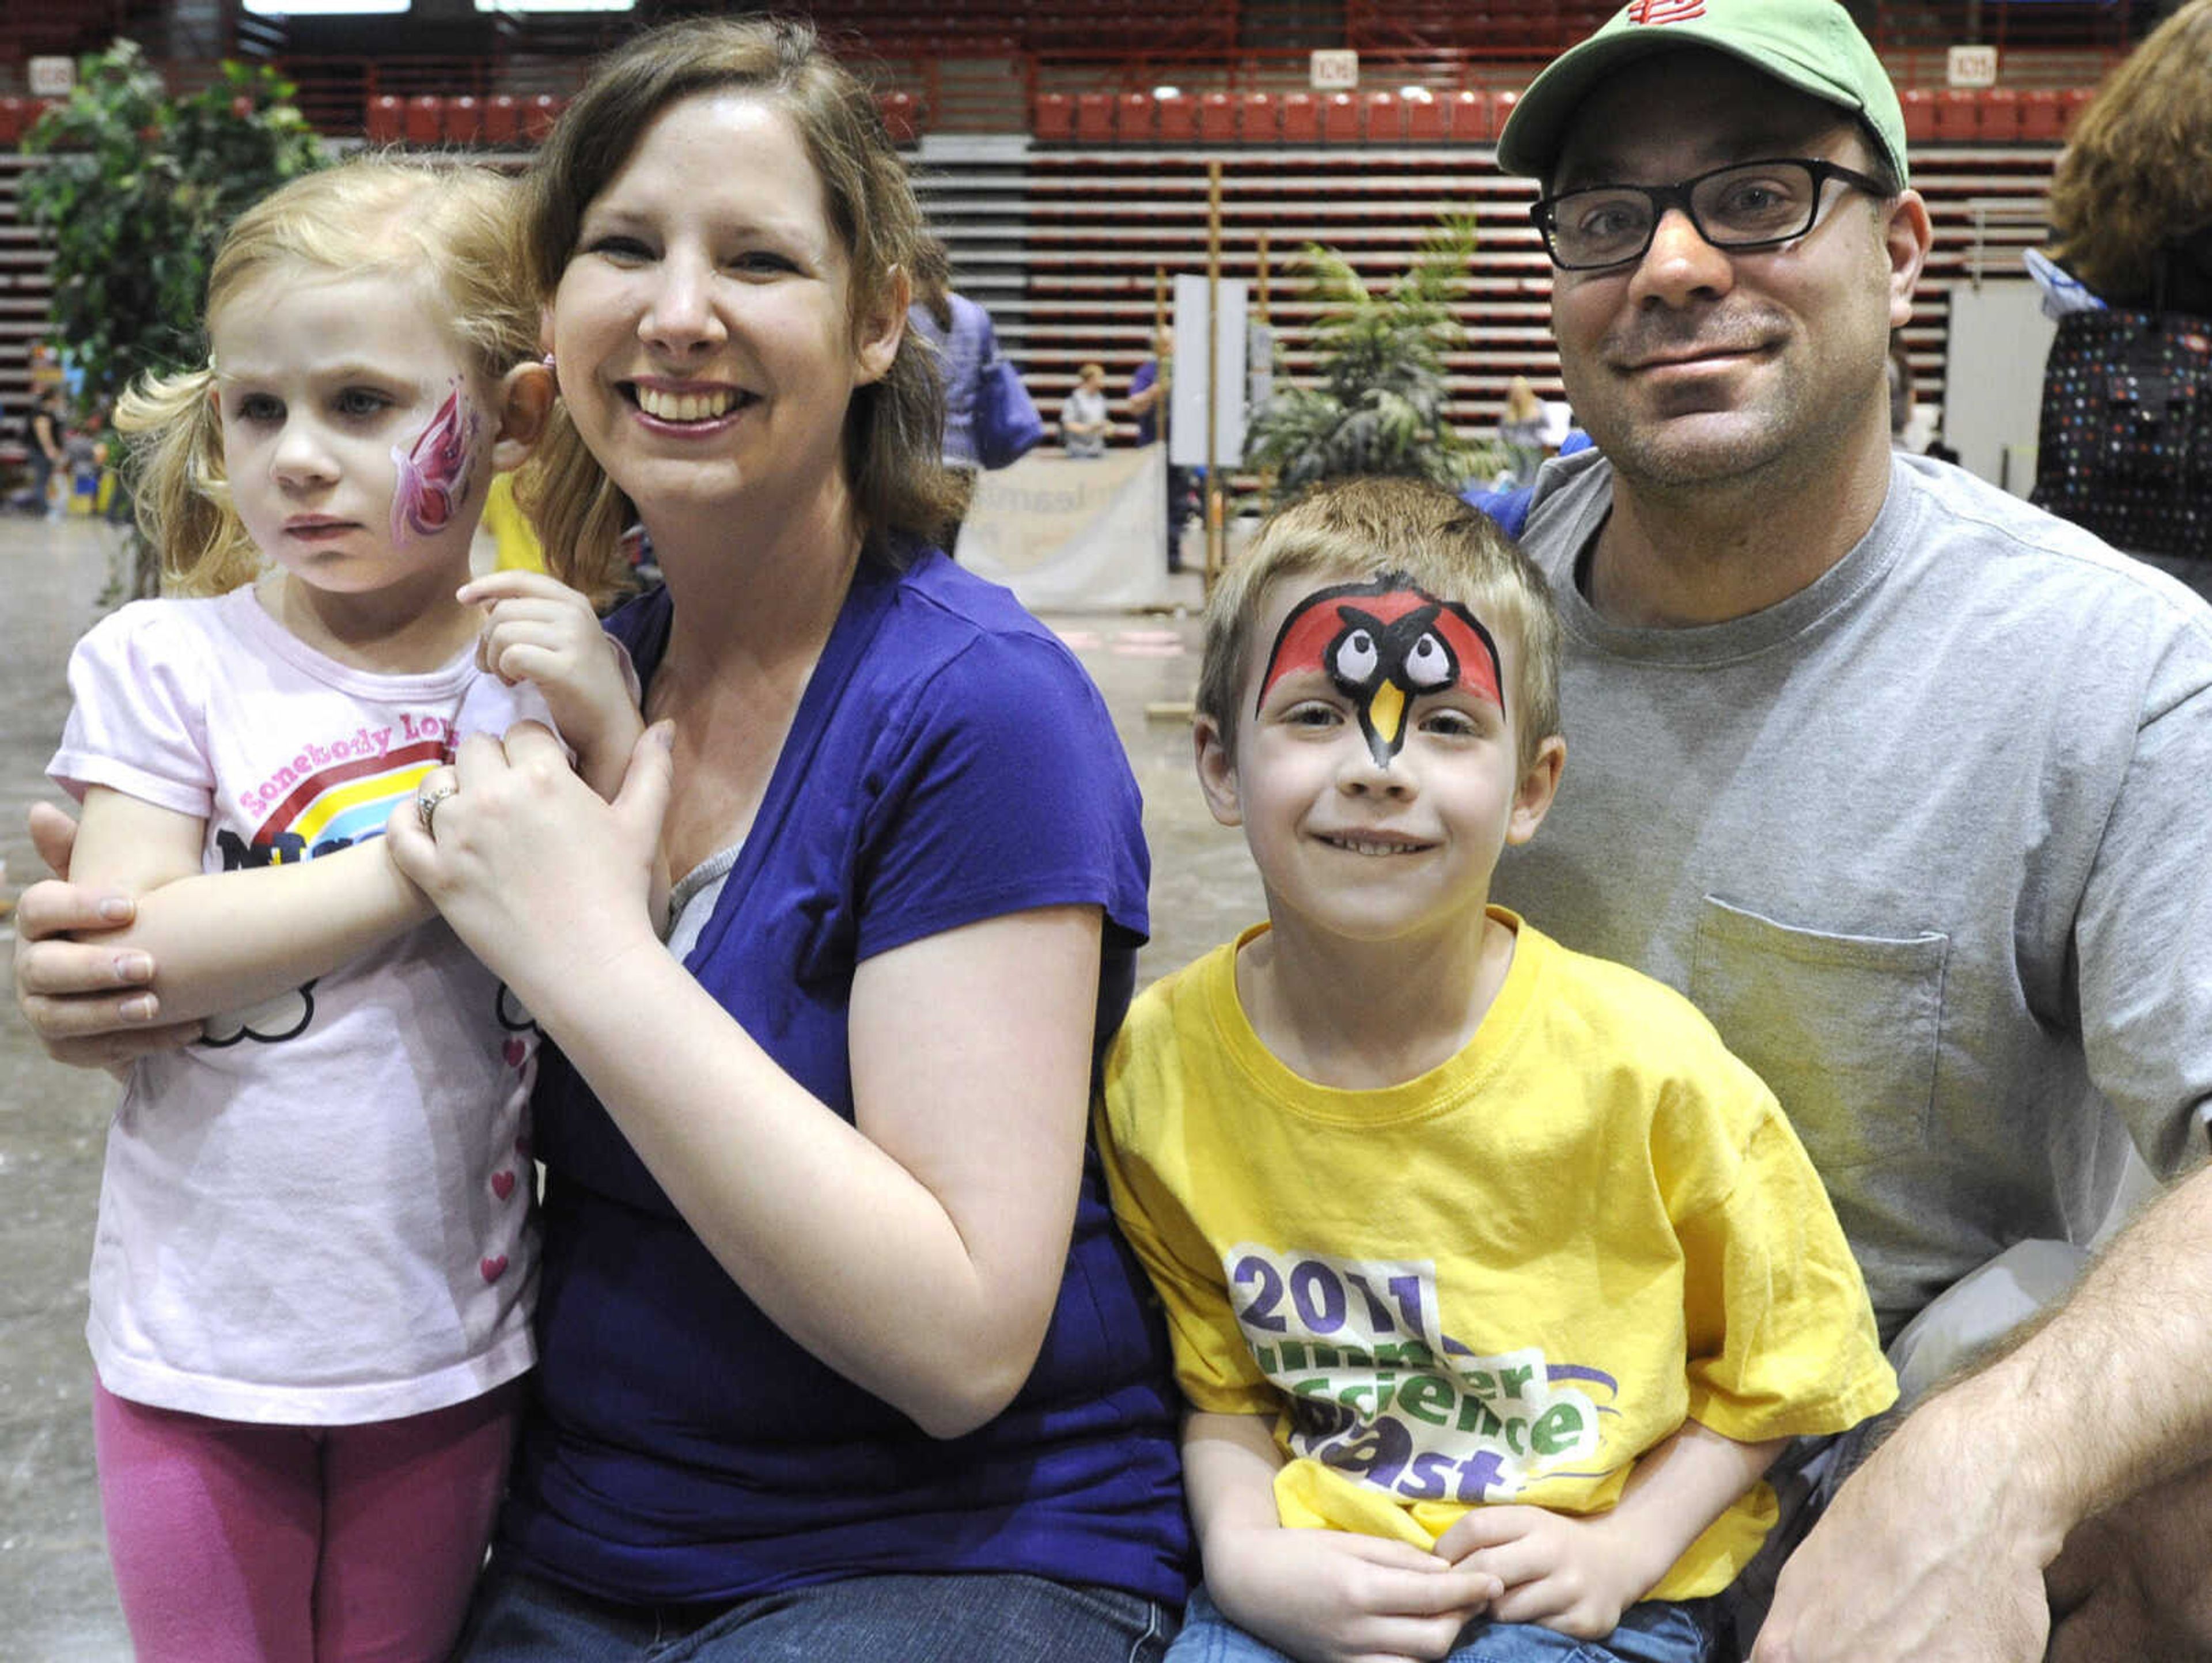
point(530, 868)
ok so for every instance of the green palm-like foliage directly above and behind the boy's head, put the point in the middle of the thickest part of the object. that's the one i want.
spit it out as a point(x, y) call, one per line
point(1379, 406)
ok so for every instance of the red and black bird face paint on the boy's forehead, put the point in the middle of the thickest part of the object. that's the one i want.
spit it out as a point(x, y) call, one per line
point(1386, 645)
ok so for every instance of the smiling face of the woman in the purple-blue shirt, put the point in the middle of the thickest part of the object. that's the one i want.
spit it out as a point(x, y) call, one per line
point(705, 324)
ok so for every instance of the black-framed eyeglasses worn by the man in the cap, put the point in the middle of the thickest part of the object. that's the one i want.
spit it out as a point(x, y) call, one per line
point(1746, 205)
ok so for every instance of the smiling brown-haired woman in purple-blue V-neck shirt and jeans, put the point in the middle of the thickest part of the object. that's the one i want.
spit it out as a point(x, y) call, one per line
point(839, 1355)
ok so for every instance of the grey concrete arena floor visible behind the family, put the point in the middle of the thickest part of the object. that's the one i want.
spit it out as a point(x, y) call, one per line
point(56, 1593)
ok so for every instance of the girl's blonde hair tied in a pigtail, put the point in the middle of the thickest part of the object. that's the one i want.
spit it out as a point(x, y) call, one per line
point(452, 227)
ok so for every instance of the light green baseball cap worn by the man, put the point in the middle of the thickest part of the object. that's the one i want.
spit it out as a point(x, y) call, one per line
point(1811, 45)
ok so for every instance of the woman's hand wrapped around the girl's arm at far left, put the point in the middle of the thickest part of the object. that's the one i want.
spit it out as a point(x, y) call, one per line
point(87, 1003)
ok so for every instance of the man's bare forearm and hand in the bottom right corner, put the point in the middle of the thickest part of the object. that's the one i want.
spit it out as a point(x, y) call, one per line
point(1937, 1547)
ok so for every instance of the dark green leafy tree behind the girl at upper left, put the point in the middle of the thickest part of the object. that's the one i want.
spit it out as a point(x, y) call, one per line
point(134, 198)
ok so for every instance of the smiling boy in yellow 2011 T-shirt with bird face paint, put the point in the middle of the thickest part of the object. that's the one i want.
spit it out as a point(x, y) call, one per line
point(1494, 1282)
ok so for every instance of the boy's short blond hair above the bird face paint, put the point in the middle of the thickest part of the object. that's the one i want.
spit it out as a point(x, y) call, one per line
point(1377, 527)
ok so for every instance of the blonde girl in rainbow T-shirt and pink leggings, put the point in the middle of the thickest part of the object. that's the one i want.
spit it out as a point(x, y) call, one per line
point(315, 1257)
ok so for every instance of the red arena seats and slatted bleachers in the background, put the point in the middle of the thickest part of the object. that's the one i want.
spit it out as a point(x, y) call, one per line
point(1364, 171)
